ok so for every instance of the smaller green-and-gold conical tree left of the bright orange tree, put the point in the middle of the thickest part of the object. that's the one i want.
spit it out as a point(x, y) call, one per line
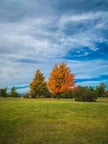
point(38, 85)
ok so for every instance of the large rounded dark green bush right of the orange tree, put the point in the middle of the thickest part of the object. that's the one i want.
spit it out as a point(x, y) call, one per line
point(85, 94)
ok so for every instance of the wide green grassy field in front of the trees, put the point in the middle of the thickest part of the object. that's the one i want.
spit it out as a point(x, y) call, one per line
point(51, 121)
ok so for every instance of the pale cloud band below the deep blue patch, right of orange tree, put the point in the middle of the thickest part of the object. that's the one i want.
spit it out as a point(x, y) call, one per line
point(88, 69)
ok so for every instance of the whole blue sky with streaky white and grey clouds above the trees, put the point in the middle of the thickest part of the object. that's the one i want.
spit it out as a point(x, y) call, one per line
point(36, 34)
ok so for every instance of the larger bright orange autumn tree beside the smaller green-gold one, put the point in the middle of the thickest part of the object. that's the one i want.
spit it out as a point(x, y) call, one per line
point(60, 80)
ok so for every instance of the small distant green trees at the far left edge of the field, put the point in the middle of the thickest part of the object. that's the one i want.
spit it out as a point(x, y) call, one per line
point(4, 92)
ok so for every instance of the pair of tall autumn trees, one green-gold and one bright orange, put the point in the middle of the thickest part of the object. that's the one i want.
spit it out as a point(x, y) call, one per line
point(61, 80)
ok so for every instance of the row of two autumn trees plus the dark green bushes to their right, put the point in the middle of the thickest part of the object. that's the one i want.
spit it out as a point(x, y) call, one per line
point(61, 84)
